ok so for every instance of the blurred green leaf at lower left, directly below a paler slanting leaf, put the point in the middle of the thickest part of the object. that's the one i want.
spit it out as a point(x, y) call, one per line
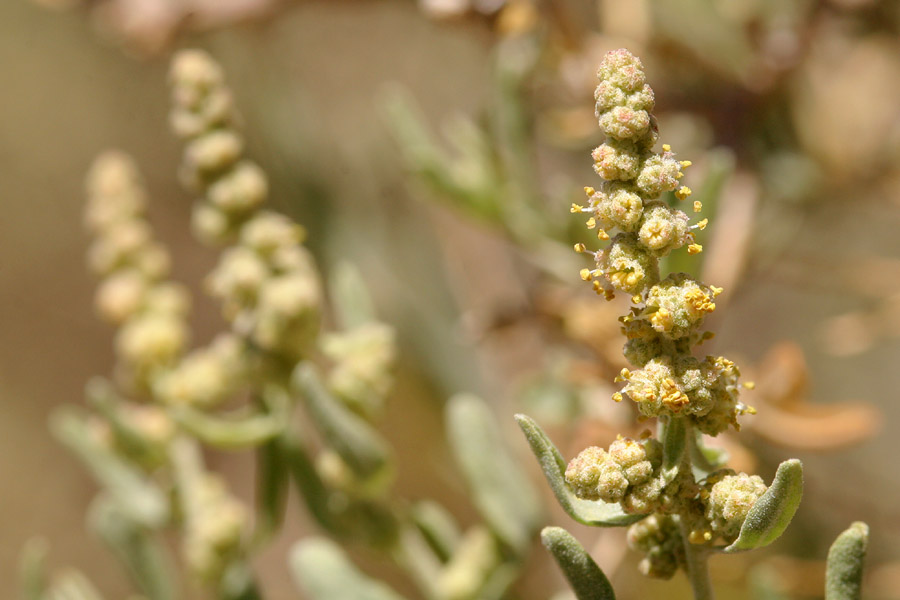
point(143, 556)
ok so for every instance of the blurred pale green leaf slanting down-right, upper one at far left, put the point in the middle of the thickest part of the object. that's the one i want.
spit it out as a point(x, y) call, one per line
point(135, 494)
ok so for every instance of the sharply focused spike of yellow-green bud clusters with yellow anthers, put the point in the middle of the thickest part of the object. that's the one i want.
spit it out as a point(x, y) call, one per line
point(662, 329)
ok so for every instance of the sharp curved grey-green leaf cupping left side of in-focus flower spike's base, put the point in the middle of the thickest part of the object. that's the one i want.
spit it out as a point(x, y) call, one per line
point(594, 513)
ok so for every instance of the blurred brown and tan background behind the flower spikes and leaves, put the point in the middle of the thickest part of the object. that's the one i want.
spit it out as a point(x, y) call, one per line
point(437, 145)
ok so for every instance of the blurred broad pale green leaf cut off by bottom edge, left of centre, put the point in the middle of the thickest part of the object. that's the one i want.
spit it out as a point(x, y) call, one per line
point(321, 569)
